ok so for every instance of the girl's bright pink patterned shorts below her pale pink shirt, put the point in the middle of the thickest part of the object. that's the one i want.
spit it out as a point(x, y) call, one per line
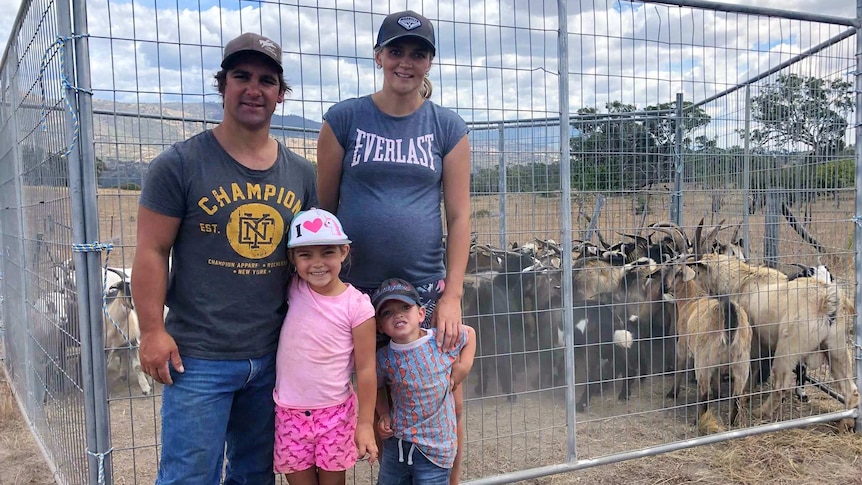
point(315, 437)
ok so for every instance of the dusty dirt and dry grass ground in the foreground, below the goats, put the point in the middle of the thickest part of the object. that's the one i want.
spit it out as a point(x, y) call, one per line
point(505, 436)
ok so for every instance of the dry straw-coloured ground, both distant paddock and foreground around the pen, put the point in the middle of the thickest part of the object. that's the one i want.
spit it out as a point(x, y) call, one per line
point(505, 437)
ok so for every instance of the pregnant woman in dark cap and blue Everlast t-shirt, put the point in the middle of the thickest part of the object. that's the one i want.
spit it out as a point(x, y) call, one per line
point(382, 162)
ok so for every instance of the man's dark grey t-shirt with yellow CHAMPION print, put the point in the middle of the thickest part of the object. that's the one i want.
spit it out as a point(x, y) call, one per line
point(229, 273)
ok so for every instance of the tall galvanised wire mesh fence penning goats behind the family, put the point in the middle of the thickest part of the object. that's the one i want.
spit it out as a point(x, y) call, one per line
point(673, 113)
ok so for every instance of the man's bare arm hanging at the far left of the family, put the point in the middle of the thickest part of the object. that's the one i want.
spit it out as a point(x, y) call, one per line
point(156, 235)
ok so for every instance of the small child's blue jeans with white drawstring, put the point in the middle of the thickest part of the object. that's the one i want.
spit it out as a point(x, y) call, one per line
point(396, 467)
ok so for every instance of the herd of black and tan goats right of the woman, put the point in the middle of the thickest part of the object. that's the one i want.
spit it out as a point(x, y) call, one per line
point(735, 321)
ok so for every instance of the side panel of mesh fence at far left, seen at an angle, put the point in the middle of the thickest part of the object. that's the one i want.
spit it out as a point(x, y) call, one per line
point(42, 342)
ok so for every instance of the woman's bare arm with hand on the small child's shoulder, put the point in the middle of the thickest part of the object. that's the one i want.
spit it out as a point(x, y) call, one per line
point(456, 198)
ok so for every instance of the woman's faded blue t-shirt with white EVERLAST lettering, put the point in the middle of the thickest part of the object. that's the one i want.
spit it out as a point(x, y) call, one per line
point(390, 192)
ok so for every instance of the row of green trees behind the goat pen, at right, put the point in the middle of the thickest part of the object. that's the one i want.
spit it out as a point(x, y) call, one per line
point(624, 148)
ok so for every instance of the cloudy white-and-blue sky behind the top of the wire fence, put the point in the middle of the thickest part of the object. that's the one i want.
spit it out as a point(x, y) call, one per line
point(494, 61)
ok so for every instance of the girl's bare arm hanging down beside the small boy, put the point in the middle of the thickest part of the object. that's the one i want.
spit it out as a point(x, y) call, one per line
point(364, 341)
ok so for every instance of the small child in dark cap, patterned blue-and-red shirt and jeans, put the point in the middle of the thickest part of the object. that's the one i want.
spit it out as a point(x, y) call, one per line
point(420, 378)
